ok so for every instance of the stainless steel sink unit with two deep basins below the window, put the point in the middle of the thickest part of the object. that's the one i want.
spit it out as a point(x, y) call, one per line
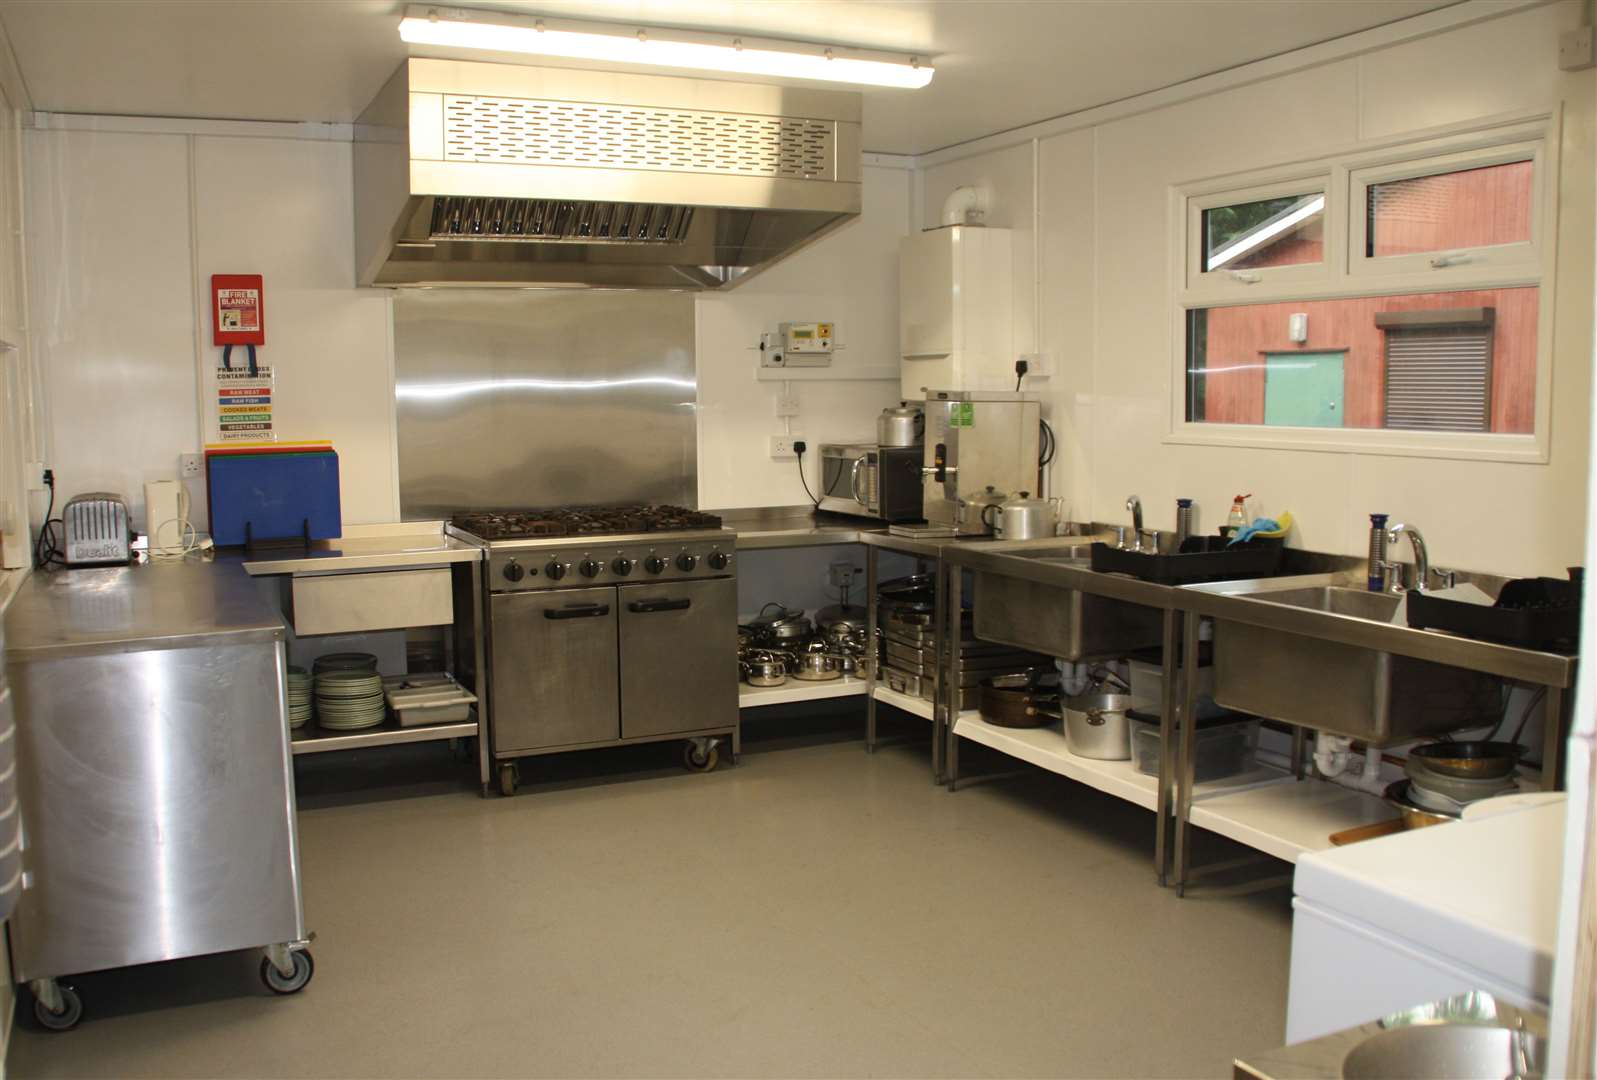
point(1307, 649)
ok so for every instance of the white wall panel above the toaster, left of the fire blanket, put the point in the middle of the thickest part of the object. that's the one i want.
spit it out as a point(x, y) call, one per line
point(113, 308)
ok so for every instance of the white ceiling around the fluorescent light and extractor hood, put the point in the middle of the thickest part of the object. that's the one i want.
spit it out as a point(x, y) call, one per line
point(1001, 63)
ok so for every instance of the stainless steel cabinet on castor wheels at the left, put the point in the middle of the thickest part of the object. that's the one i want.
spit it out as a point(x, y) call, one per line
point(154, 777)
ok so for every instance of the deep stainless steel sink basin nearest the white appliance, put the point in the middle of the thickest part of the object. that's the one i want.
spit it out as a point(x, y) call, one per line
point(1312, 675)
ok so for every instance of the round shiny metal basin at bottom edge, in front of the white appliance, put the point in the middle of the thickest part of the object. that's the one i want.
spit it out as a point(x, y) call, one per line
point(1446, 1052)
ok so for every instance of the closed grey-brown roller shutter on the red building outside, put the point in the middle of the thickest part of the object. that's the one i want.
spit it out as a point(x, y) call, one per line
point(1440, 376)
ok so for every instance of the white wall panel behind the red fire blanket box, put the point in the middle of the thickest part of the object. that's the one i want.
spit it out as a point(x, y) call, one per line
point(283, 208)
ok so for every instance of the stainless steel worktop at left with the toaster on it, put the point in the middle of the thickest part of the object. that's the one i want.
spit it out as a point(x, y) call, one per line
point(138, 608)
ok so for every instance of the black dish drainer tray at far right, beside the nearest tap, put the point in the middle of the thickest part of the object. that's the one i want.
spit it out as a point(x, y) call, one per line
point(1534, 613)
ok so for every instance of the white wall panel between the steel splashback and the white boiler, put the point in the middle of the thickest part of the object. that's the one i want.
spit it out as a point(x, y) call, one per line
point(850, 279)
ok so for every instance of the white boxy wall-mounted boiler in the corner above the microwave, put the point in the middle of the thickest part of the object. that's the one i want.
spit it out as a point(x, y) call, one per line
point(956, 311)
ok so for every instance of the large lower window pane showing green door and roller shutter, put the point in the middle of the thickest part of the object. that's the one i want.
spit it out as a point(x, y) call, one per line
point(1449, 362)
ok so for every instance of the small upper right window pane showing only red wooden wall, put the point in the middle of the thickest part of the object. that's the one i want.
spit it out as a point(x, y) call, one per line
point(1475, 208)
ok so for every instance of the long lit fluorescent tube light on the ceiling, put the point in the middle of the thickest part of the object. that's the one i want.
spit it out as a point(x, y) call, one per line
point(617, 44)
